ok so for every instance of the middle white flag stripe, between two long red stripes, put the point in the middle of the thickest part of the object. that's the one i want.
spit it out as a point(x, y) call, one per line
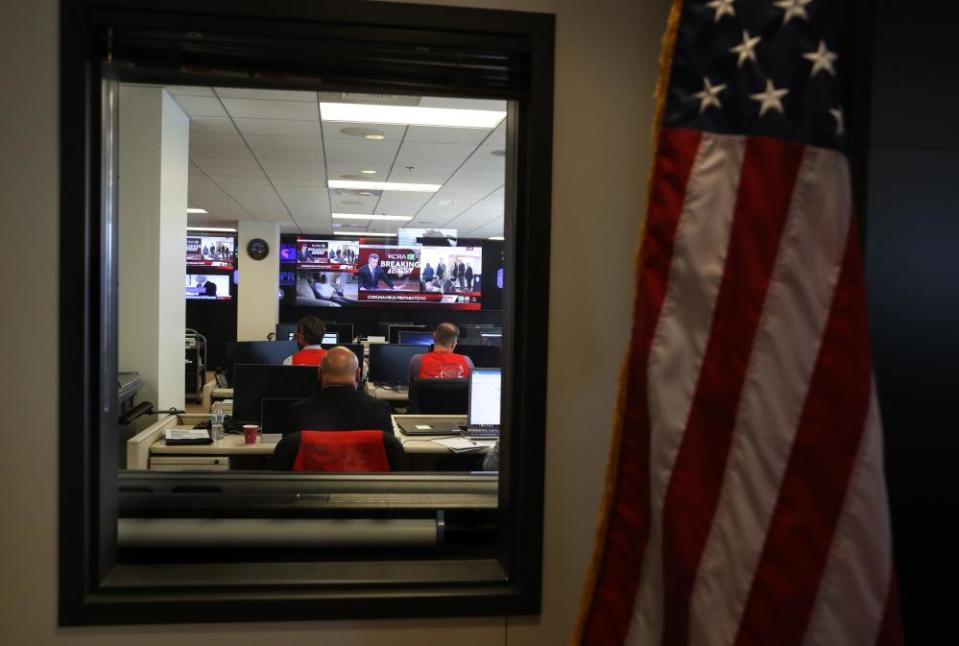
point(781, 365)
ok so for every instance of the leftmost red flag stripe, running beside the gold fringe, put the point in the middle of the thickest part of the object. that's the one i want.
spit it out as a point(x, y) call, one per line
point(619, 567)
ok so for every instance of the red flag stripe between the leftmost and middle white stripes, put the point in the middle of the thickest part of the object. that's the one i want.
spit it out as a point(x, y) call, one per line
point(769, 172)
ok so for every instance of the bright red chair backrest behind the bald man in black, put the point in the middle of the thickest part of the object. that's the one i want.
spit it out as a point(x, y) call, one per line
point(349, 451)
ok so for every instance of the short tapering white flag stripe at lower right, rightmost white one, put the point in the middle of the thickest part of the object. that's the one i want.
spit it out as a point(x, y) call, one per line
point(852, 595)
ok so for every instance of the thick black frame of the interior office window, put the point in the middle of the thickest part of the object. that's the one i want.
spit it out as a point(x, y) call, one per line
point(409, 49)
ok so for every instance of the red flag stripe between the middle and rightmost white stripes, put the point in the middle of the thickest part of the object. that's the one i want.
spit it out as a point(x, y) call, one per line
point(800, 534)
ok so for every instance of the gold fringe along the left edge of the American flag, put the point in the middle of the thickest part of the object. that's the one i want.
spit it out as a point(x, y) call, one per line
point(612, 467)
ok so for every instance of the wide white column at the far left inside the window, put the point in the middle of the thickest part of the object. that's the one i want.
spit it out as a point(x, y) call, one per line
point(153, 169)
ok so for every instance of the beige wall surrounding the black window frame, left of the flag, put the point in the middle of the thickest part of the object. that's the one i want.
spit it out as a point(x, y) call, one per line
point(606, 52)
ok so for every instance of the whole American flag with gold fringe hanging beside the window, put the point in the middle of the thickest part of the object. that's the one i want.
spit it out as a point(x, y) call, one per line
point(746, 501)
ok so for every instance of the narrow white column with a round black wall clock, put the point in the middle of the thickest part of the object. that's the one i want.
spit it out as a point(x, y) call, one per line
point(257, 307)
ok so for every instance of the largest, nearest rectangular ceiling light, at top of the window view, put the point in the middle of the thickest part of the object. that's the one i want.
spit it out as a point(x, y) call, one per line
point(411, 115)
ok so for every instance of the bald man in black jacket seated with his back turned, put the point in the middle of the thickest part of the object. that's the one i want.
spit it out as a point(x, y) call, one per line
point(339, 406)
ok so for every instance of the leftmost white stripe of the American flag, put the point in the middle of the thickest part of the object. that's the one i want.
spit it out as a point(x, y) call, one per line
point(681, 337)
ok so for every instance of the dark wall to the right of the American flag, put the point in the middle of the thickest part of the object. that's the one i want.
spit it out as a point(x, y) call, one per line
point(912, 265)
